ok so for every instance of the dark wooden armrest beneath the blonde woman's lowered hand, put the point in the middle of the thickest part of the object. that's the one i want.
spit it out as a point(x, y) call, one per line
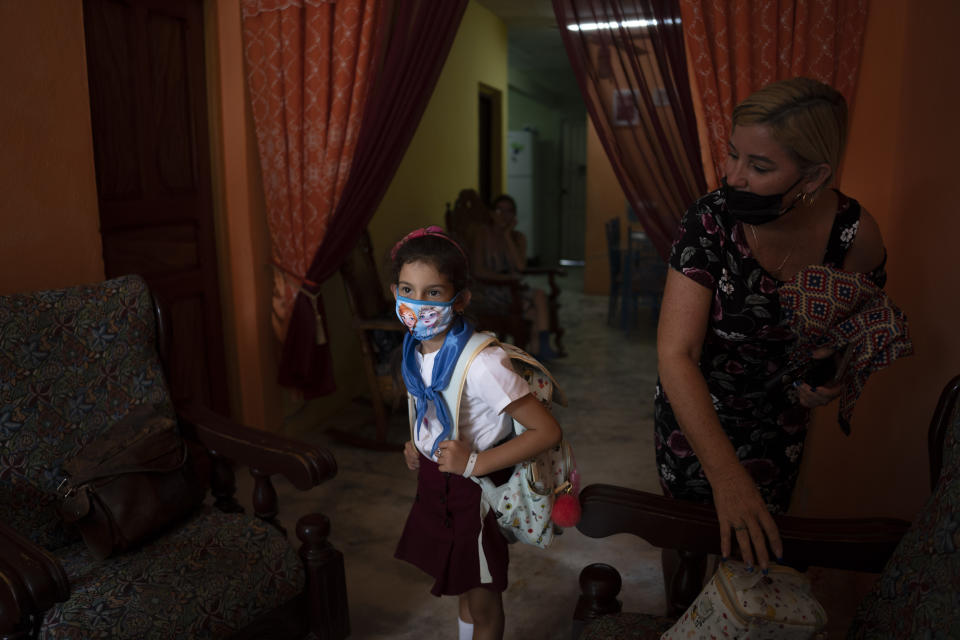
point(855, 544)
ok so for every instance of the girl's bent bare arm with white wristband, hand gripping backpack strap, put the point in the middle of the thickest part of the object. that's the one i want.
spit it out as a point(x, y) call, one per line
point(542, 432)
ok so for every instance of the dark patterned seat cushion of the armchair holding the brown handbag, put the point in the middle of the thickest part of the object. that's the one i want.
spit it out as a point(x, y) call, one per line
point(239, 568)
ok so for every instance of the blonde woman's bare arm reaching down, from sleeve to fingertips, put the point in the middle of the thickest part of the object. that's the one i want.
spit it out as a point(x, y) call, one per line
point(684, 315)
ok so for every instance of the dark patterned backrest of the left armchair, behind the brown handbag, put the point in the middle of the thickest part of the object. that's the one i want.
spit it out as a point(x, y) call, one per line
point(73, 362)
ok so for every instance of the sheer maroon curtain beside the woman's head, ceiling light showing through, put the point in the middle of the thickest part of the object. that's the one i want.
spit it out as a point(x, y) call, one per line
point(628, 56)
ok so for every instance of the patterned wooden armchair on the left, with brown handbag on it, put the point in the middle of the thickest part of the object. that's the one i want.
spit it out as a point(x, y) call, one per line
point(73, 362)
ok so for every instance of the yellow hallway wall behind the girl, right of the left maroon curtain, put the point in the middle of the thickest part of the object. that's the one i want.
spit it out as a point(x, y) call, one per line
point(442, 159)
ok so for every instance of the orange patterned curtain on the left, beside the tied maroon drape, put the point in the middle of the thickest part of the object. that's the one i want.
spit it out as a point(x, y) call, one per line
point(309, 64)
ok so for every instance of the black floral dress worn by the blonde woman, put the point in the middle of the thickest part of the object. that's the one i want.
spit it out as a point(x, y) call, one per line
point(745, 346)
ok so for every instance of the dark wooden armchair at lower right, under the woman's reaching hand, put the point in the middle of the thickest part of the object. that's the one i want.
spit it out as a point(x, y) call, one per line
point(915, 595)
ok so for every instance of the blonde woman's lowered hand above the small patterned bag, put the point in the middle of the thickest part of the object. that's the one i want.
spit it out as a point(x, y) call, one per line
point(742, 512)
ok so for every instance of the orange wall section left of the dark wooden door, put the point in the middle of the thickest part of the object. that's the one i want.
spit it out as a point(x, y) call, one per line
point(50, 233)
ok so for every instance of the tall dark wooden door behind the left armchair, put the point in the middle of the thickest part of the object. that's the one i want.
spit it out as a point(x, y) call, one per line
point(145, 65)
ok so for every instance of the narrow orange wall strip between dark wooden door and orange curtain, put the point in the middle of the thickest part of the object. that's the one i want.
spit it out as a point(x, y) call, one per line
point(241, 228)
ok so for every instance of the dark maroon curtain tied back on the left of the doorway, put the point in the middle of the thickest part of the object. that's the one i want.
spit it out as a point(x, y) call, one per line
point(413, 40)
